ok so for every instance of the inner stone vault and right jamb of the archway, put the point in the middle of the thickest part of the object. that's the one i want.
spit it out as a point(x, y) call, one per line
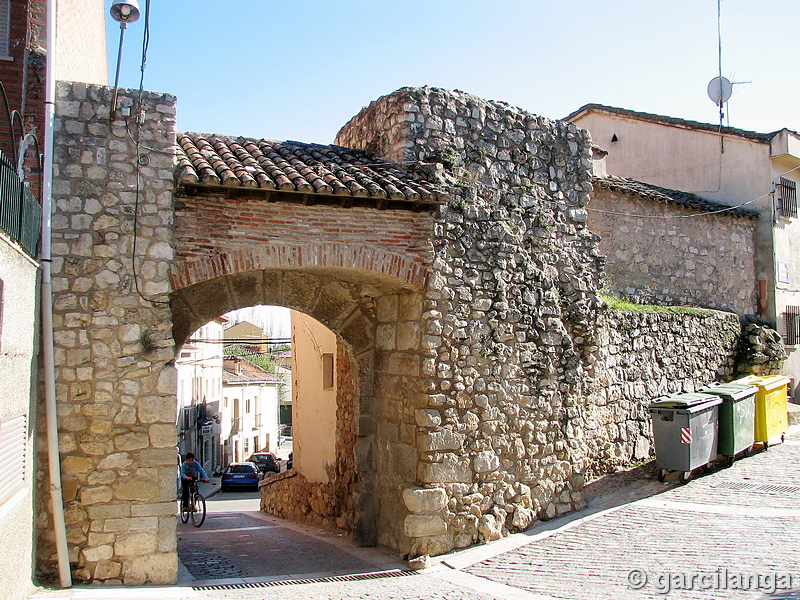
point(376, 317)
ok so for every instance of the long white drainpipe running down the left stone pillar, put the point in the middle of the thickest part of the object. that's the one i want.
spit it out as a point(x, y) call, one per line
point(48, 353)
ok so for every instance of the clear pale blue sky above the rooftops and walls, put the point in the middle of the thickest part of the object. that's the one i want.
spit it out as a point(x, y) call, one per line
point(300, 69)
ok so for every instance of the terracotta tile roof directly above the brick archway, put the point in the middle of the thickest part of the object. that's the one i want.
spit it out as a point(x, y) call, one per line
point(297, 171)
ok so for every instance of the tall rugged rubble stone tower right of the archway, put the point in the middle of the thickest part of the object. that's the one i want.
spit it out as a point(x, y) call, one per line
point(508, 315)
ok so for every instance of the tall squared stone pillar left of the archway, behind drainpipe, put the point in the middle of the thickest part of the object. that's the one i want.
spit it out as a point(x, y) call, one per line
point(113, 335)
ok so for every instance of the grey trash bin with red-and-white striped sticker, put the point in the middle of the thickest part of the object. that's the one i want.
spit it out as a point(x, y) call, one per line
point(684, 432)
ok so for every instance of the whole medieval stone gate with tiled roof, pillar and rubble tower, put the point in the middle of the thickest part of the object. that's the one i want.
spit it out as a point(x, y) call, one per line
point(460, 279)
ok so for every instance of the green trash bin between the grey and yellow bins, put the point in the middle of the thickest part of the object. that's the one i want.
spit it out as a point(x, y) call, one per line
point(737, 415)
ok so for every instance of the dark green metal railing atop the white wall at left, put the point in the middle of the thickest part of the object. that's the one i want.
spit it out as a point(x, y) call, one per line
point(20, 213)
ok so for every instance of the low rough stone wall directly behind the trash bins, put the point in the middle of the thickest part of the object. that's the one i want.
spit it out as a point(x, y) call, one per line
point(643, 355)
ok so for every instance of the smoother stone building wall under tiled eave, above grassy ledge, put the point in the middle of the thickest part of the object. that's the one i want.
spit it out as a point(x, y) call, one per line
point(670, 259)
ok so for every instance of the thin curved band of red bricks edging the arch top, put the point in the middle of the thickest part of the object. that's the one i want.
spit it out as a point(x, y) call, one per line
point(412, 272)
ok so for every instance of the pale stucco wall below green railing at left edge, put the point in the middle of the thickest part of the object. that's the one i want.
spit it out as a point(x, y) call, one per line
point(19, 348)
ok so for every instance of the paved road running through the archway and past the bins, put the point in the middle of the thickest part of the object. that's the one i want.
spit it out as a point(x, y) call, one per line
point(733, 528)
